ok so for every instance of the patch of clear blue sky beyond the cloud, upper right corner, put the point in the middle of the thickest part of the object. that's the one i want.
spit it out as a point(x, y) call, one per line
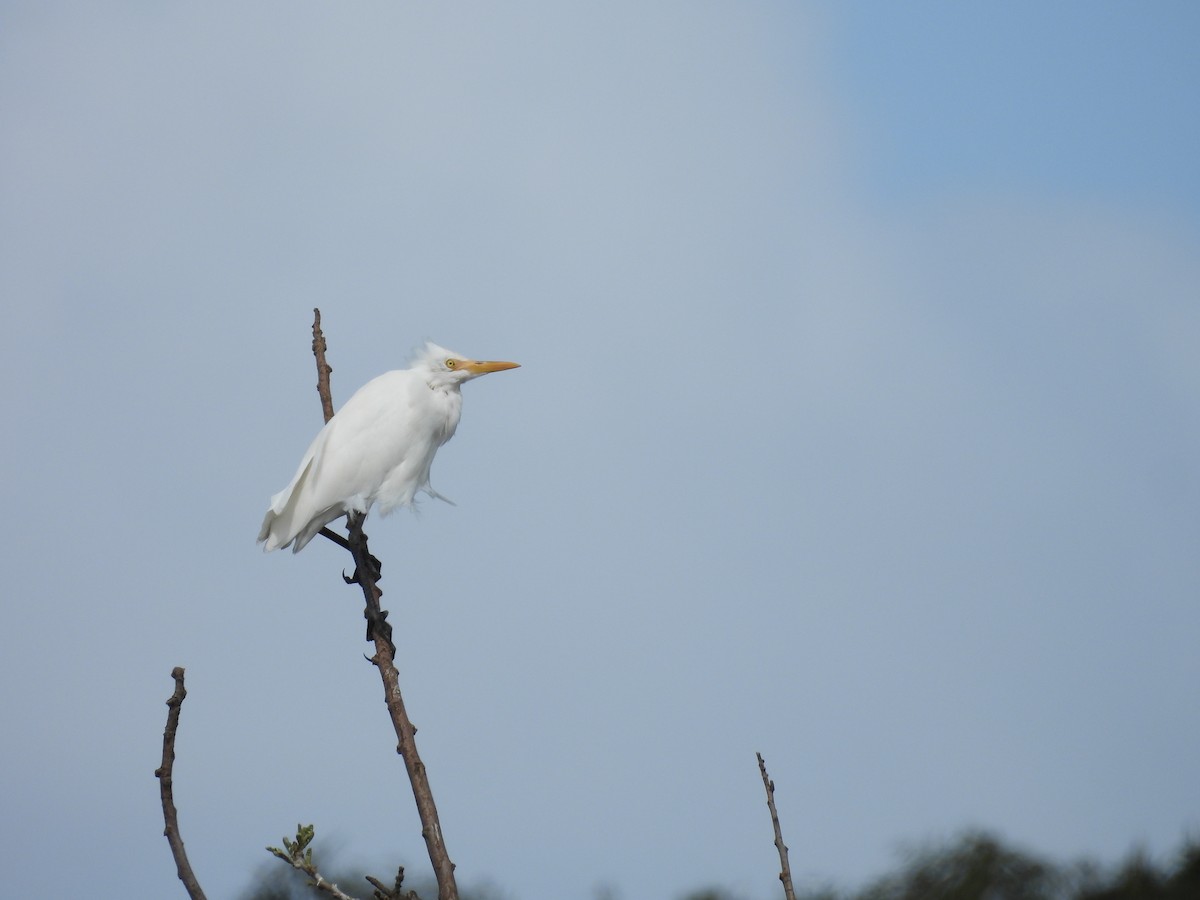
point(1065, 100)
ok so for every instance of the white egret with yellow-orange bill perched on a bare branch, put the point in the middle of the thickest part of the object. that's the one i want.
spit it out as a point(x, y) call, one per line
point(377, 449)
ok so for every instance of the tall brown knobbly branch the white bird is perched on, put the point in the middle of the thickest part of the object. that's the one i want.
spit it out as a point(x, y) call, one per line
point(367, 575)
